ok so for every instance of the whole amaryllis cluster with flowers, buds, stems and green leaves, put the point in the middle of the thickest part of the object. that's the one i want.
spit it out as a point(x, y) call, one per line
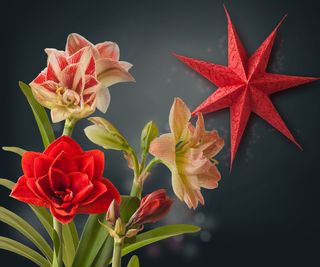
point(64, 180)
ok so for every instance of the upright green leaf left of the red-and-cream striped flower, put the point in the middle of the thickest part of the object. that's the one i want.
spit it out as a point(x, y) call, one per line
point(40, 115)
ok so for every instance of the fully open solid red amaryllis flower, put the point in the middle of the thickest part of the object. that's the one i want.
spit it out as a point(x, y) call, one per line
point(65, 179)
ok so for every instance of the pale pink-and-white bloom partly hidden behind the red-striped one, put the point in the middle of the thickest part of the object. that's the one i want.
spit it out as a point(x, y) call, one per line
point(109, 69)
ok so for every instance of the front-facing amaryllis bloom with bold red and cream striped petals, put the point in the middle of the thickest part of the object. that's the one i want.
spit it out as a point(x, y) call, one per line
point(68, 85)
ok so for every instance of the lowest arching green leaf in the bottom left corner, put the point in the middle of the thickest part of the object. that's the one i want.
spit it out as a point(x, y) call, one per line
point(20, 249)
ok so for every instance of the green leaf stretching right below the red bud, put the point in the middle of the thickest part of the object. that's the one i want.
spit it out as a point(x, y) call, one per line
point(158, 234)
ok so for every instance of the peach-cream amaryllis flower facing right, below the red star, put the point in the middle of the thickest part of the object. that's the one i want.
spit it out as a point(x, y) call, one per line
point(188, 152)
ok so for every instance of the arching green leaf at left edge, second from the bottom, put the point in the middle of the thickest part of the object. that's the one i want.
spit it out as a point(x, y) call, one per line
point(27, 230)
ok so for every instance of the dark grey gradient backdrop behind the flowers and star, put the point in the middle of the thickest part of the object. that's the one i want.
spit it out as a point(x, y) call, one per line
point(265, 213)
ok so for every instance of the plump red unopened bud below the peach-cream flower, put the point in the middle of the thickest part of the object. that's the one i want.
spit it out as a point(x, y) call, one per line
point(153, 208)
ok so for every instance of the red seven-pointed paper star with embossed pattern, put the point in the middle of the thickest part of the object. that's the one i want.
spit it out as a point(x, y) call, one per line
point(245, 86)
